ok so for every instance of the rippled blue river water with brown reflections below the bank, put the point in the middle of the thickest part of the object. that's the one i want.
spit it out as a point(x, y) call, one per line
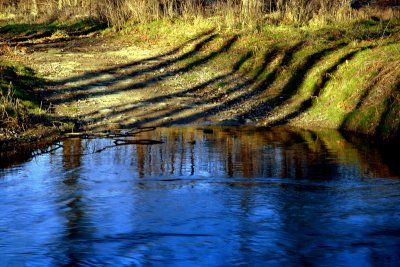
point(203, 197)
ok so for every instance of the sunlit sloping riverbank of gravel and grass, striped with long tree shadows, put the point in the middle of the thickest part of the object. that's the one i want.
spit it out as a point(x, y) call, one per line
point(177, 73)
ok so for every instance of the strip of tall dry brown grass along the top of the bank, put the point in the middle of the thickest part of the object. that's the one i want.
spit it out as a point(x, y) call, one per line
point(230, 13)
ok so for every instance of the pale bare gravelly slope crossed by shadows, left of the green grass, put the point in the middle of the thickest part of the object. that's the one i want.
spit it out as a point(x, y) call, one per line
point(109, 86)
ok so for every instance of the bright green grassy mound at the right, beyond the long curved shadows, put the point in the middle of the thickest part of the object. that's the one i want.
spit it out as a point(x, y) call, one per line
point(363, 95)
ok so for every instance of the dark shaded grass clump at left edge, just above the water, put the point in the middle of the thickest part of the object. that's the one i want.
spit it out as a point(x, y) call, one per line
point(23, 115)
